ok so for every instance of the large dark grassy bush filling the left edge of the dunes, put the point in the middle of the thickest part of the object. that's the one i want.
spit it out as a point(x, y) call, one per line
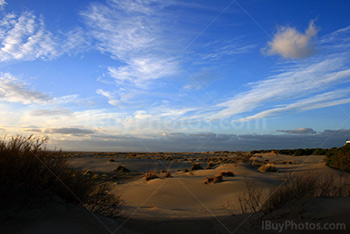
point(29, 174)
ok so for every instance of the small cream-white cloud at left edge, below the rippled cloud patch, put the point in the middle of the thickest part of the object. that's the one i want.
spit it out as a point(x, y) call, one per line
point(14, 90)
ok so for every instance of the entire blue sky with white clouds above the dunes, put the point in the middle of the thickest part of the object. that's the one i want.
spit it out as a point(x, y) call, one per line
point(176, 75)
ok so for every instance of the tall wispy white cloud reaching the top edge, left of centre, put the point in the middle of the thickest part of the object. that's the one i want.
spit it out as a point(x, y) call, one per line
point(129, 31)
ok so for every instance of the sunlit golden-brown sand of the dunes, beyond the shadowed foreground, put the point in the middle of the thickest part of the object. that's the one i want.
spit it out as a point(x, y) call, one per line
point(185, 195)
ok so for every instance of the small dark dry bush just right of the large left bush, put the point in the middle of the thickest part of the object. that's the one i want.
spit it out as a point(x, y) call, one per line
point(104, 203)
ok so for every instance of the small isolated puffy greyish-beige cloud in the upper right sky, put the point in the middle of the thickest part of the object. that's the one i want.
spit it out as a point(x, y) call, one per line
point(291, 44)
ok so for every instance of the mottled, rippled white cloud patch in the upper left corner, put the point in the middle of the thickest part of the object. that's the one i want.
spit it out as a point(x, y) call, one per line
point(24, 37)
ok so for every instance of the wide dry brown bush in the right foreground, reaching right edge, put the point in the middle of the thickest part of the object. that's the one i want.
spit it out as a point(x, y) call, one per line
point(294, 187)
